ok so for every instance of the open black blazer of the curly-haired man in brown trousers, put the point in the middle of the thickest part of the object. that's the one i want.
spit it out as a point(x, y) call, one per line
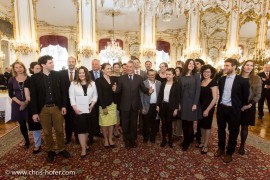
point(38, 93)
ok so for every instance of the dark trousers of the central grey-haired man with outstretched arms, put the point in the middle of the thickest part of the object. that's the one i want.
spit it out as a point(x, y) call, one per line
point(129, 125)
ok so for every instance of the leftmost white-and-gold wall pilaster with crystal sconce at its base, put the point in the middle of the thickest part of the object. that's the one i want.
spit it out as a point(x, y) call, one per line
point(25, 47)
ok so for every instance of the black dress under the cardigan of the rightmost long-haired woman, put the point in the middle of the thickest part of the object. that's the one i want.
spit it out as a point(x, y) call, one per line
point(248, 116)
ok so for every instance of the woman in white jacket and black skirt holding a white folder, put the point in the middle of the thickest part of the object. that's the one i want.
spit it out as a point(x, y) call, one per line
point(82, 86)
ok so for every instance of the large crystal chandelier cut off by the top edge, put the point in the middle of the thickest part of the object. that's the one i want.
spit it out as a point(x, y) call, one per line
point(163, 9)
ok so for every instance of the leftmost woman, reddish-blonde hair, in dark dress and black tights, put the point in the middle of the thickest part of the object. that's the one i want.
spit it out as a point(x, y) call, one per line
point(19, 102)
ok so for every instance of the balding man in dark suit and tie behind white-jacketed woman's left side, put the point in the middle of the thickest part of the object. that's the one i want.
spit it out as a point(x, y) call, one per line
point(67, 76)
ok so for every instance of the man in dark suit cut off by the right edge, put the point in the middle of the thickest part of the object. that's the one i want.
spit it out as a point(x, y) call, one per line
point(265, 76)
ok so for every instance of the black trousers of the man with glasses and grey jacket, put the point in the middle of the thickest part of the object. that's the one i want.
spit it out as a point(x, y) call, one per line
point(149, 123)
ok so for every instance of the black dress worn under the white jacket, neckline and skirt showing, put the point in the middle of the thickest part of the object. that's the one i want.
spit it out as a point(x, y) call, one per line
point(82, 121)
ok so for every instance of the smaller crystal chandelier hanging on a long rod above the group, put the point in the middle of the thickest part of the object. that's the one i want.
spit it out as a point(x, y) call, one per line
point(113, 50)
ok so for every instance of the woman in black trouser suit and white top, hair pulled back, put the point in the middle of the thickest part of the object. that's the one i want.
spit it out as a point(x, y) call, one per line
point(168, 105)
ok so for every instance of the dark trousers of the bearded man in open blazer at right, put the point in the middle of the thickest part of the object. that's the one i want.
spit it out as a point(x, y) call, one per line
point(231, 116)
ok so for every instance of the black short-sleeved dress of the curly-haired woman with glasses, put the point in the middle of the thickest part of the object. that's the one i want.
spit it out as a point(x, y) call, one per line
point(205, 99)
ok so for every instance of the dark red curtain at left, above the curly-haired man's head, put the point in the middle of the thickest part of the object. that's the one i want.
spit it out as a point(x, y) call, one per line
point(53, 40)
